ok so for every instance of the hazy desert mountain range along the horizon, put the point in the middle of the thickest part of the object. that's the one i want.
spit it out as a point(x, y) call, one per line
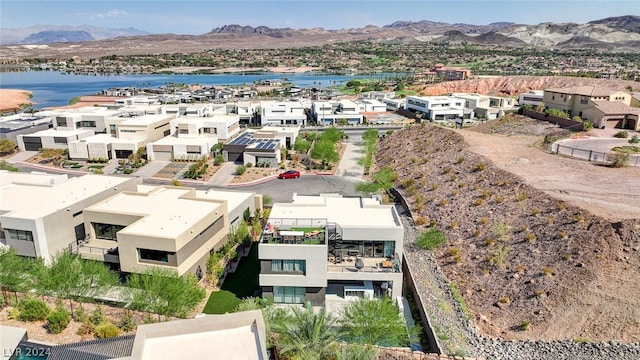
point(614, 33)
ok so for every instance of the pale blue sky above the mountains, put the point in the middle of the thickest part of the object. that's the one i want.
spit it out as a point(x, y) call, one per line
point(198, 17)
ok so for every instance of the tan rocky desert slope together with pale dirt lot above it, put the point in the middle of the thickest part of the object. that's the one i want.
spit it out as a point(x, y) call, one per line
point(570, 272)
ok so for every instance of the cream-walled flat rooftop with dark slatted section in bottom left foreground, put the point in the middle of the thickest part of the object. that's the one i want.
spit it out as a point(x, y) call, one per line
point(235, 336)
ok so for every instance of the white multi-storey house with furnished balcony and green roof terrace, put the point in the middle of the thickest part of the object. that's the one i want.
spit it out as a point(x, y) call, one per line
point(327, 249)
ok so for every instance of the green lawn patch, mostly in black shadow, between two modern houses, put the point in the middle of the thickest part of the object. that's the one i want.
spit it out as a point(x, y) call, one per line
point(242, 283)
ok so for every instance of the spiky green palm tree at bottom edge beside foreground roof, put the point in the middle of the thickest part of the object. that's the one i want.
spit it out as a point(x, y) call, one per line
point(307, 335)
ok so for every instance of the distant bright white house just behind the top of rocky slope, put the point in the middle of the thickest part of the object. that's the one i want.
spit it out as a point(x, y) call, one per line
point(436, 107)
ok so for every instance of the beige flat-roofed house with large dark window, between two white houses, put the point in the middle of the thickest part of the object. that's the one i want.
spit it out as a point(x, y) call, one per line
point(162, 226)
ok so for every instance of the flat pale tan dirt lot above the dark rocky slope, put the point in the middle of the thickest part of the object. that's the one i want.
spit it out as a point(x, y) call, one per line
point(613, 194)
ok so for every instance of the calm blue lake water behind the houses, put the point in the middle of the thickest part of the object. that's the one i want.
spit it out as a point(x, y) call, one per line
point(52, 88)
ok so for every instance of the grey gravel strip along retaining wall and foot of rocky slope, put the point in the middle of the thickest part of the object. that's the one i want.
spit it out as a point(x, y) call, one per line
point(458, 336)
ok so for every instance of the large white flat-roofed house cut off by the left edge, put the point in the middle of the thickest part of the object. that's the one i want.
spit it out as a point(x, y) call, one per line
point(42, 214)
